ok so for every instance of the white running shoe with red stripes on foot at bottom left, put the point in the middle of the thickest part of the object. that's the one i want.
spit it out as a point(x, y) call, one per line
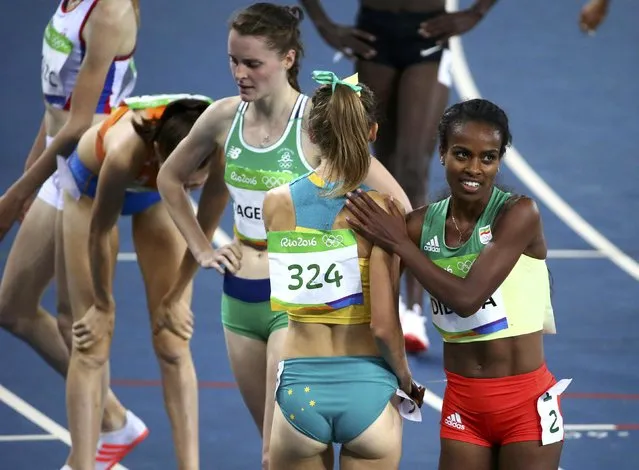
point(115, 445)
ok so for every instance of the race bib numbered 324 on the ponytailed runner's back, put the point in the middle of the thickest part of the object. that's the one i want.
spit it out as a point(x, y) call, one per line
point(317, 270)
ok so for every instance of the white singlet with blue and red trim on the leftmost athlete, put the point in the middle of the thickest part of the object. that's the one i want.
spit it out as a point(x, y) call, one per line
point(62, 53)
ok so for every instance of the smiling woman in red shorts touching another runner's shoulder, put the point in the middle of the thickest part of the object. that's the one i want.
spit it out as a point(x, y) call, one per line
point(481, 255)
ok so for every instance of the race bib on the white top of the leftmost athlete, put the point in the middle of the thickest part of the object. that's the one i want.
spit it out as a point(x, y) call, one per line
point(56, 49)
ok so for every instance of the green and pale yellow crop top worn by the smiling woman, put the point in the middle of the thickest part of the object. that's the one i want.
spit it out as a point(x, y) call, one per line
point(520, 305)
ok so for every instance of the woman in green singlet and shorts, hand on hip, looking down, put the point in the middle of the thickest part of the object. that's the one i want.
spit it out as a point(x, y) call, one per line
point(263, 132)
